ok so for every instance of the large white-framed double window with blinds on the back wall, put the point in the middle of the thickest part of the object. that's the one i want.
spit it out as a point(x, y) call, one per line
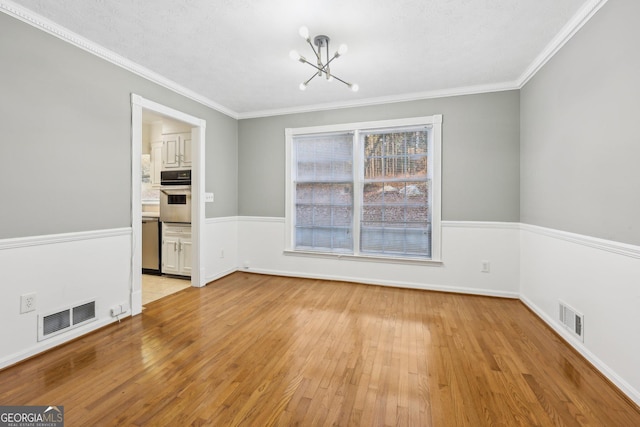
point(365, 189)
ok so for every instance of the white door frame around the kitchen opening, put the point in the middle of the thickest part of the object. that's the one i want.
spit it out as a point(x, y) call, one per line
point(139, 103)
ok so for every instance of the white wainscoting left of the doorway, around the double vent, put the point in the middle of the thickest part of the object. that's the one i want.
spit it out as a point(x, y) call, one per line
point(61, 270)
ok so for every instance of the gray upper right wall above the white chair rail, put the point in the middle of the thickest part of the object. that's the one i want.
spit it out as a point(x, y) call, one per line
point(580, 141)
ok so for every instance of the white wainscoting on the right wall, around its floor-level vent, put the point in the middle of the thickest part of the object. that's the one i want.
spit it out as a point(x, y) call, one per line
point(599, 279)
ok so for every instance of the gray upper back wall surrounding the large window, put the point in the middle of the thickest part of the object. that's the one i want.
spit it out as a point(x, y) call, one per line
point(480, 137)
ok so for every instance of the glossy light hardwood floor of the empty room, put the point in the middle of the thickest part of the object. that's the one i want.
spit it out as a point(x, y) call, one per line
point(260, 350)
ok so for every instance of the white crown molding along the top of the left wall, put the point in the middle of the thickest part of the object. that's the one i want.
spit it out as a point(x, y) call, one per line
point(50, 27)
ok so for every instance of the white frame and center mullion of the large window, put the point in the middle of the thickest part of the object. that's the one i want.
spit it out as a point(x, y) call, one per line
point(435, 165)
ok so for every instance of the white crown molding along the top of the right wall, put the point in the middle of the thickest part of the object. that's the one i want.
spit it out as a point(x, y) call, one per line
point(567, 32)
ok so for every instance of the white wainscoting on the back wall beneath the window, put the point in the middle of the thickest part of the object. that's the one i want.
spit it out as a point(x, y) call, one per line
point(466, 245)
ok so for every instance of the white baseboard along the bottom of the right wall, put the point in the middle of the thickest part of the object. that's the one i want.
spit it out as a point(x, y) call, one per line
point(579, 346)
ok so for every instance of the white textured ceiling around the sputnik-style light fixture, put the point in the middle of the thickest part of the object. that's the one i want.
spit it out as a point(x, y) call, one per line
point(236, 52)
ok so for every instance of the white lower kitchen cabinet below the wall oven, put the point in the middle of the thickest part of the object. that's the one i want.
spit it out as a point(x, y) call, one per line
point(176, 249)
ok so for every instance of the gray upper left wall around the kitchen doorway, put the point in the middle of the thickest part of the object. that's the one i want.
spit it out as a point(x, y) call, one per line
point(65, 117)
